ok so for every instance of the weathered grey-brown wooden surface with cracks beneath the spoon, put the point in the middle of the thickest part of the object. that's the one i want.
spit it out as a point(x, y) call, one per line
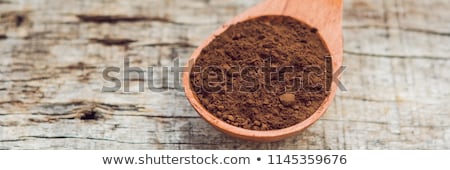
point(53, 54)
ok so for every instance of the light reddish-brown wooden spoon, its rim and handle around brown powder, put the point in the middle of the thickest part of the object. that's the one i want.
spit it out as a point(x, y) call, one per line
point(325, 15)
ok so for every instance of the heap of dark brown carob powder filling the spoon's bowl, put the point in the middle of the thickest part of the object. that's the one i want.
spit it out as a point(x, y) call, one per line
point(265, 73)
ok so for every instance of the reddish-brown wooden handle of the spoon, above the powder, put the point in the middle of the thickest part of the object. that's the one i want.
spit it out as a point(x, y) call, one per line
point(325, 15)
